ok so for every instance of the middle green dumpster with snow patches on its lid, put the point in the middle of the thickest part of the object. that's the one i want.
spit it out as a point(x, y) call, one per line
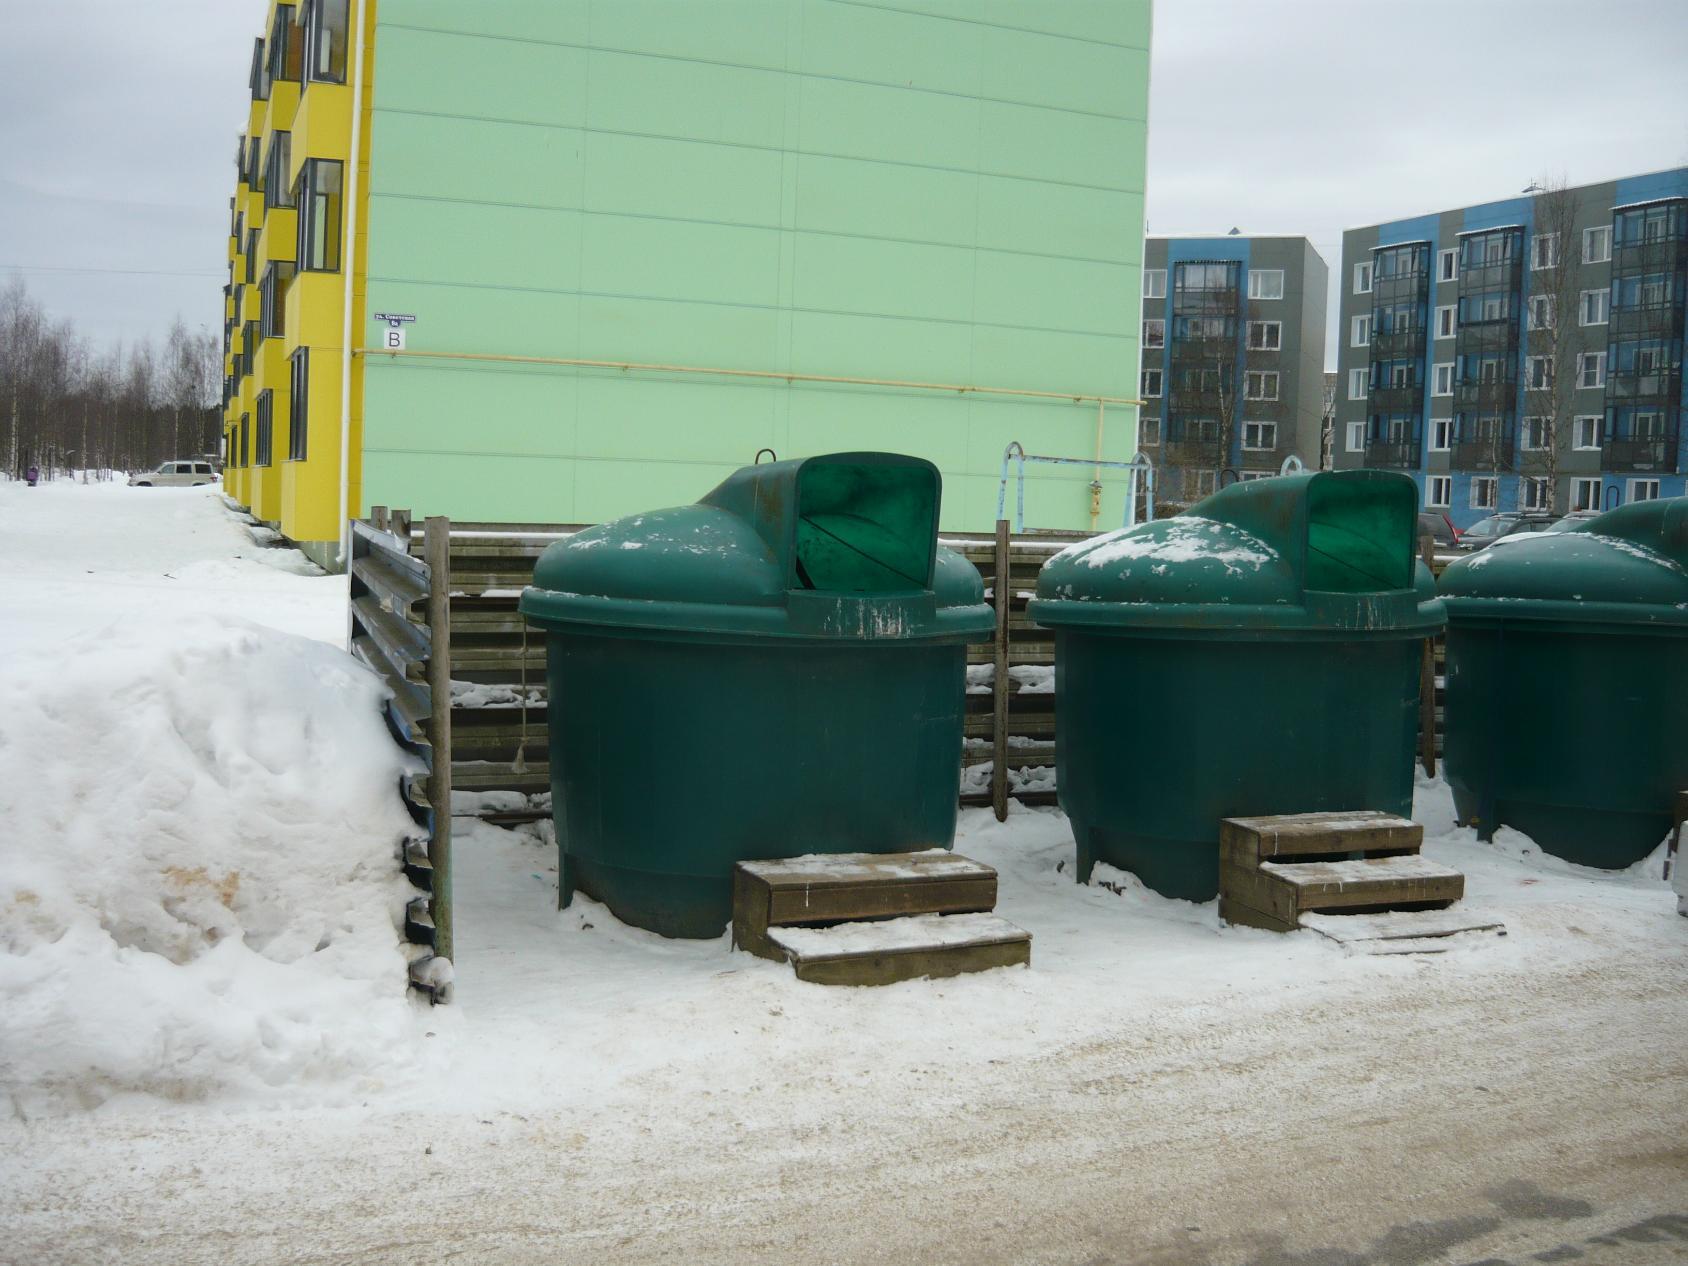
point(1258, 654)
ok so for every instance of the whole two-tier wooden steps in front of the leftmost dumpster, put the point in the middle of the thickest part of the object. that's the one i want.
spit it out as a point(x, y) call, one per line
point(874, 919)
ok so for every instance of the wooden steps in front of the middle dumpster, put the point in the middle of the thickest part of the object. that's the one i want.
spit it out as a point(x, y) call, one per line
point(1279, 874)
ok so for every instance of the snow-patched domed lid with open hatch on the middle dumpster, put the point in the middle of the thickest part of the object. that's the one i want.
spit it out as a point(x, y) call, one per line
point(1319, 551)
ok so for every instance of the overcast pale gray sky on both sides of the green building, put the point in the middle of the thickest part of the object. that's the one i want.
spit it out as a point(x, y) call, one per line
point(119, 121)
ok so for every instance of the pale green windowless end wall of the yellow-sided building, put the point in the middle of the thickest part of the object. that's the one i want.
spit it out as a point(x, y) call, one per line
point(919, 190)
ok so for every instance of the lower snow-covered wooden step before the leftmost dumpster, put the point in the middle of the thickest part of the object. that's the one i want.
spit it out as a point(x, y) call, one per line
point(902, 949)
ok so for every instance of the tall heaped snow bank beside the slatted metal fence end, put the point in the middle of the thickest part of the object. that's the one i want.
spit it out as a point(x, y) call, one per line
point(198, 877)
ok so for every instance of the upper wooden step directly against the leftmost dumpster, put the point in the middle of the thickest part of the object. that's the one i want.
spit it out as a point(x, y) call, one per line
point(833, 889)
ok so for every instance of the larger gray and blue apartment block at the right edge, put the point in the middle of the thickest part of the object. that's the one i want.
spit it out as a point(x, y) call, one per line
point(1520, 355)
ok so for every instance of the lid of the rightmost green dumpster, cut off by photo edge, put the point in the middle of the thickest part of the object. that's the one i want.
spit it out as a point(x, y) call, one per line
point(1630, 566)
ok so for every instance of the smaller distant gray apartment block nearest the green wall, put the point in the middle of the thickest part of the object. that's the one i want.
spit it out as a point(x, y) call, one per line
point(1233, 359)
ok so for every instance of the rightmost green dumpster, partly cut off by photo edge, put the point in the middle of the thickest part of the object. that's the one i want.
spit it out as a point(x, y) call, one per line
point(1567, 679)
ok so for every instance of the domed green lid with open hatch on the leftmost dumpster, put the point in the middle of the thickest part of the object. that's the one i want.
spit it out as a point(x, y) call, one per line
point(840, 548)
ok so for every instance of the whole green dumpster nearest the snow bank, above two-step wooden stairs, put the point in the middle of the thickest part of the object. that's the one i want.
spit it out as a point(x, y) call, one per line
point(776, 671)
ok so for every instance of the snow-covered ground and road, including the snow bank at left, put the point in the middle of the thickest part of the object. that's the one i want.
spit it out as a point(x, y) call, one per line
point(1154, 1090)
